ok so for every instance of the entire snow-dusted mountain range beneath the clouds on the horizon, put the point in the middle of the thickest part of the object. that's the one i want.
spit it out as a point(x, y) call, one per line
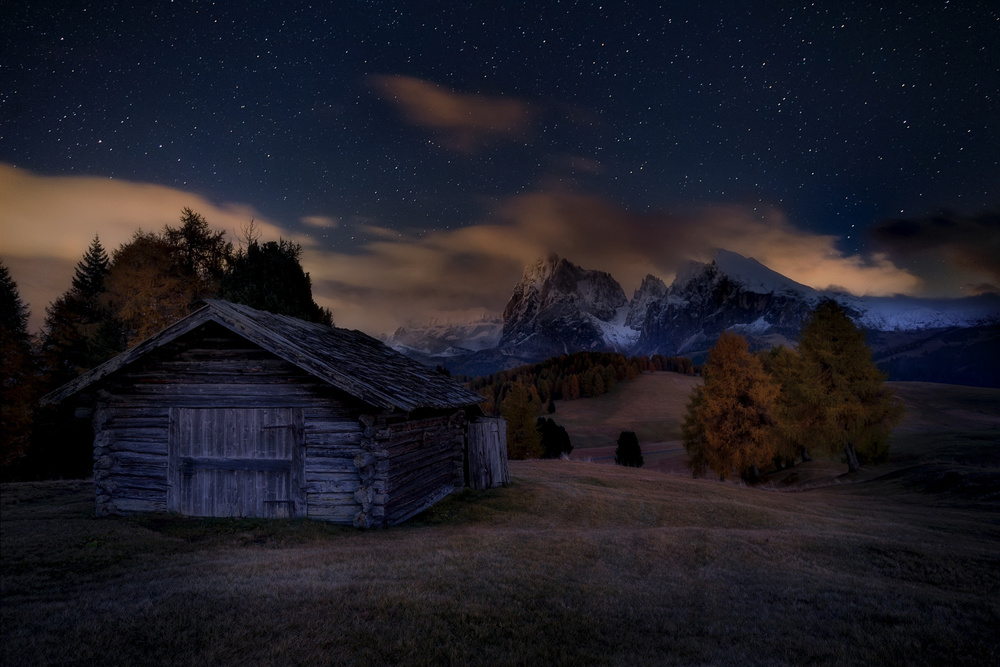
point(558, 307)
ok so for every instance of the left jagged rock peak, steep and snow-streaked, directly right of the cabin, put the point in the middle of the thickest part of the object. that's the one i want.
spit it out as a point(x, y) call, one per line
point(558, 307)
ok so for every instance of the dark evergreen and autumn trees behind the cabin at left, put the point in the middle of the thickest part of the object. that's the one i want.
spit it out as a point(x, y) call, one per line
point(113, 302)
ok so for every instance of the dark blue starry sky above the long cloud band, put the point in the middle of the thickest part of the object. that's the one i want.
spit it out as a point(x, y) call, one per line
point(840, 114)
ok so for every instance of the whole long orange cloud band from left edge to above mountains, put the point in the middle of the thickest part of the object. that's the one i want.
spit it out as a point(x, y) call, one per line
point(47, 223)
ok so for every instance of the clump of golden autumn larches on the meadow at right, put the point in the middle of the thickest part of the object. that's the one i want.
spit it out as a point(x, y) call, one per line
point(777, 406)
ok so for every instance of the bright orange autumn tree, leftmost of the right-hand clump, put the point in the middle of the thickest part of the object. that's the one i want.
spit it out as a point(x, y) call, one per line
point(728, 424)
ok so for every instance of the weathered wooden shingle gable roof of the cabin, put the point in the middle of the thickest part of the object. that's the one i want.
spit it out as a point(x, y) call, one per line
point(349, 360)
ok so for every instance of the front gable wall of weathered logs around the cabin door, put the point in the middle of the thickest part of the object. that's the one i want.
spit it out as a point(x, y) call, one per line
point(212, 368)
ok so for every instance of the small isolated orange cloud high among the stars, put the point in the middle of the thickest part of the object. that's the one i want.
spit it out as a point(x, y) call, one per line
point(464, 121)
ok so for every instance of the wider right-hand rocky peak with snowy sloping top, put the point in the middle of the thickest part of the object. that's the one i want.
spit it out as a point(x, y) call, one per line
point(705, 300)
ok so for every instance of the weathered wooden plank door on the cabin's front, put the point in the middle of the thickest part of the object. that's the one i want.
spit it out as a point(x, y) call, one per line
point(236, 462)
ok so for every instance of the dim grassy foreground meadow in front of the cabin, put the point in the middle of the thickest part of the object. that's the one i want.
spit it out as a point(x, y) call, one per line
point(574, 563)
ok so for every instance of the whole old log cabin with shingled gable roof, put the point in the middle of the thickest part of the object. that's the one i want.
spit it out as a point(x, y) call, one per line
point(233, 411)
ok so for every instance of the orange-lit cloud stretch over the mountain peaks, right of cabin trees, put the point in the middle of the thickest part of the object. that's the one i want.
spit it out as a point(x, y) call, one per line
point(472, 269)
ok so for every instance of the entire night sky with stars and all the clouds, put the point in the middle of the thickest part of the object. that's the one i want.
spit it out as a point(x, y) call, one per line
point(422, 153)
